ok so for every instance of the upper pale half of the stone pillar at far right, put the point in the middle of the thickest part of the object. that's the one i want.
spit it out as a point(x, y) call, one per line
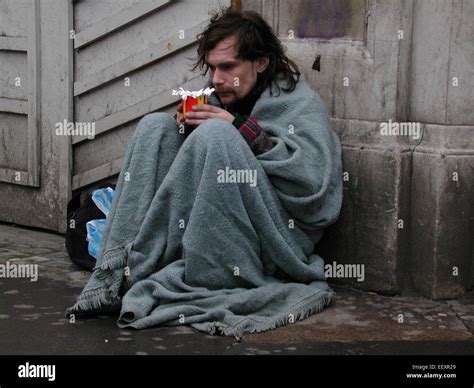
point(442, 51)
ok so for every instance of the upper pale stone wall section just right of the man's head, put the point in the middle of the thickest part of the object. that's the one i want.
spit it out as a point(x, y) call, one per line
point(364, 78)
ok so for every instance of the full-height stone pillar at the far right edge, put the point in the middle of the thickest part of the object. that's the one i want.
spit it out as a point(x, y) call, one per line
point(442, 95)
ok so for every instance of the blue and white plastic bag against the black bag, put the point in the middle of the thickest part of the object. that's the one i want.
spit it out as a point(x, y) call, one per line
point(95, 229)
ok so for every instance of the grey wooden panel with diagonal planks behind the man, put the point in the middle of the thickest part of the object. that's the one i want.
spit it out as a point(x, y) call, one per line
point(128, 58)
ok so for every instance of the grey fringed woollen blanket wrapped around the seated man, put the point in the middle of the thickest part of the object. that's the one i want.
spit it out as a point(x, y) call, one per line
point(228, 258)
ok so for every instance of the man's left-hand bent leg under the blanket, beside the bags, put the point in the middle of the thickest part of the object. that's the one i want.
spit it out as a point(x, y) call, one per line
point(151, 152)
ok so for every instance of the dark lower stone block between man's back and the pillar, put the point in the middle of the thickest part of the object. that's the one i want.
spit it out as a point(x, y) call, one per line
point(368, 222)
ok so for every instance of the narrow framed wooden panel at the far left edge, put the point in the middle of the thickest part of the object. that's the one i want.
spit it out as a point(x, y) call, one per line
point(19, 94)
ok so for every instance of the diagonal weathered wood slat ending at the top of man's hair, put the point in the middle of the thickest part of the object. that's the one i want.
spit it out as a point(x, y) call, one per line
point(167, 46)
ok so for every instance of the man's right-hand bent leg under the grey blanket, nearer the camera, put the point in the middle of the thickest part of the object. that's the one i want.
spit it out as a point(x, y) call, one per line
point(196, 213)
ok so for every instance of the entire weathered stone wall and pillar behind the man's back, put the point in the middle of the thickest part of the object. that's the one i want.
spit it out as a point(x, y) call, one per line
point(408, 200)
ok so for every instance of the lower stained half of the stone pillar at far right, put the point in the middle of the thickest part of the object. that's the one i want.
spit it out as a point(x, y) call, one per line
point(442, 208)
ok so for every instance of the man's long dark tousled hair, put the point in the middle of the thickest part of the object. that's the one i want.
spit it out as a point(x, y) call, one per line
point(255, 39)
